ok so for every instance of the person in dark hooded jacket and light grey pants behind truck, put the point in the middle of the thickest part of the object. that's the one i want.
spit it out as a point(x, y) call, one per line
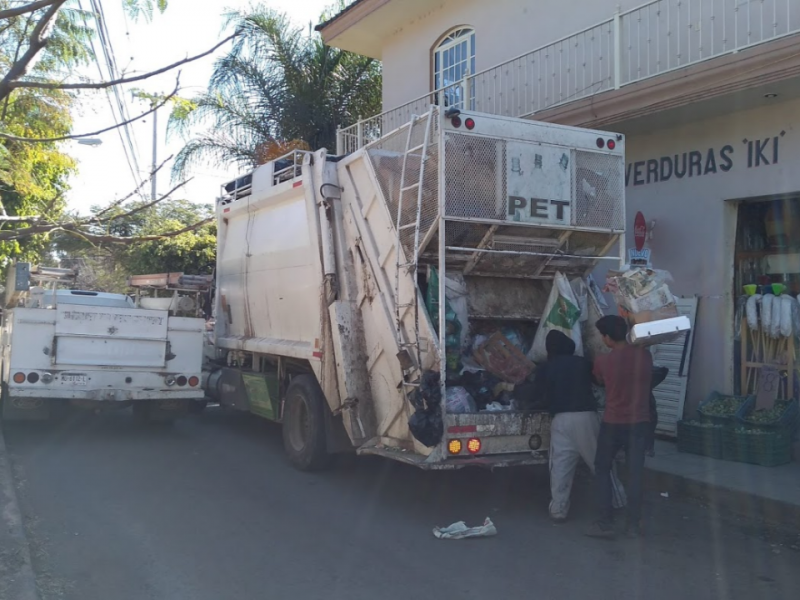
point(563, 385)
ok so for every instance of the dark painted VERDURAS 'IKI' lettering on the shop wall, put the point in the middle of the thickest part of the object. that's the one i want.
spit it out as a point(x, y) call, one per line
point(695, 163)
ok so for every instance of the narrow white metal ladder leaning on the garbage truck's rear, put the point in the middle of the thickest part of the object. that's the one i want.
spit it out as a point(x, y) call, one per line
point(409, 190)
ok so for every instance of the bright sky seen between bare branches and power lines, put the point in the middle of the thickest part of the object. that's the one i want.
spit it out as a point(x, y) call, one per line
point(188, 27)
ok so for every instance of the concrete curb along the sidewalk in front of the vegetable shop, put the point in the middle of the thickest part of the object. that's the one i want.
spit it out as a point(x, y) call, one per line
point(726, 500)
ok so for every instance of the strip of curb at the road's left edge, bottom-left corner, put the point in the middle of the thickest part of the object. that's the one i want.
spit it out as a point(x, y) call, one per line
point(19, 582)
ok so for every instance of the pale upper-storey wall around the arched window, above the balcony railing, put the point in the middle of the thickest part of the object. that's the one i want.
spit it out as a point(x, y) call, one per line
point(504, 29)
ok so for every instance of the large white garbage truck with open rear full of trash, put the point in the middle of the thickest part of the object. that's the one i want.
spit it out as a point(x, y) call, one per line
point(385, 302)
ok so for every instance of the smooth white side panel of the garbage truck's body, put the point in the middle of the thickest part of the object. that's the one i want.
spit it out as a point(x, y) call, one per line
point(268, 277)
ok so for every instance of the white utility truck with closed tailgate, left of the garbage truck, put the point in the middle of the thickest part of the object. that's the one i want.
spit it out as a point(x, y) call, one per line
point(93, 350)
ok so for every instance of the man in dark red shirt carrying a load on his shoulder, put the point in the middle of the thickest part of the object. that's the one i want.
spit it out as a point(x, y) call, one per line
point(626, 373)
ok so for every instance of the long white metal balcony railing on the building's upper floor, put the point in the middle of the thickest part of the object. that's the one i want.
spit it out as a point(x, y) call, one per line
point(650, 40)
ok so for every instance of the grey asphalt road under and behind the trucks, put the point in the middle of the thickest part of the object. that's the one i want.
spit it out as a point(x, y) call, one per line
point(210, 510)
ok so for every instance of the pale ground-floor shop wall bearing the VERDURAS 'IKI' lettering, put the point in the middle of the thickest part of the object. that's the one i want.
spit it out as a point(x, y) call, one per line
point(695, 228)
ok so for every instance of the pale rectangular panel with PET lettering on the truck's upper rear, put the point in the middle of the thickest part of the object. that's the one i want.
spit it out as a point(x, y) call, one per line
point(539, 180)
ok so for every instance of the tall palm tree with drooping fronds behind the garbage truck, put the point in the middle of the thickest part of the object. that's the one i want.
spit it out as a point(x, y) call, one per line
point(277, 89)
